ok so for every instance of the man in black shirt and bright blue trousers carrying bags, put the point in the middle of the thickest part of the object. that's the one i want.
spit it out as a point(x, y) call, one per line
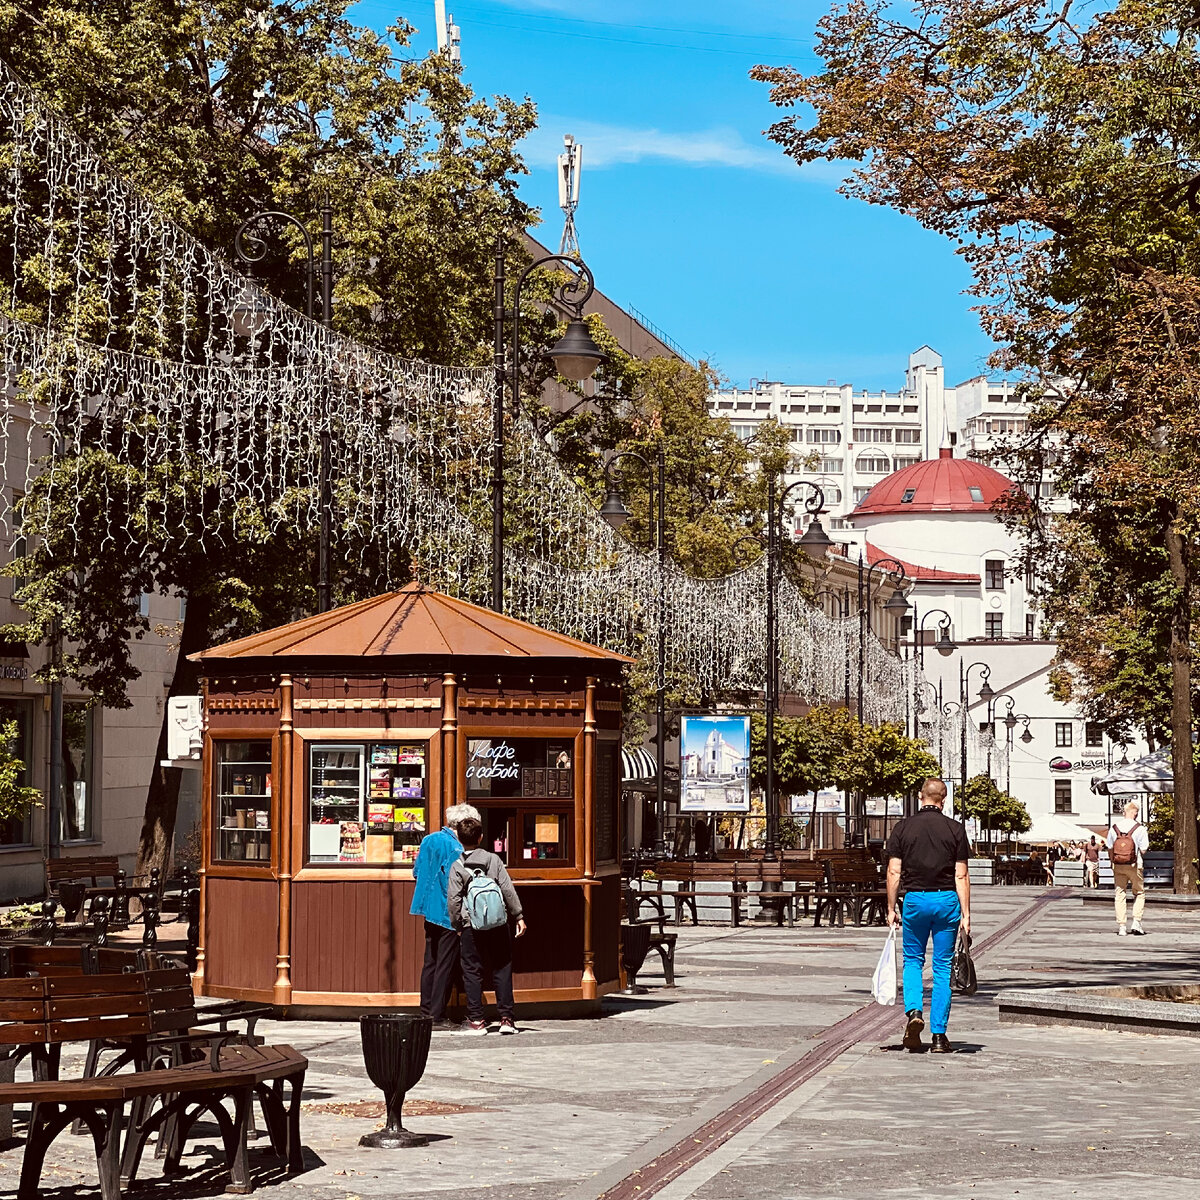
point(928, 857)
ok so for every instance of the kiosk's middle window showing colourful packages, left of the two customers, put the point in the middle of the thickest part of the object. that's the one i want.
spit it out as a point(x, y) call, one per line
point(368, 802)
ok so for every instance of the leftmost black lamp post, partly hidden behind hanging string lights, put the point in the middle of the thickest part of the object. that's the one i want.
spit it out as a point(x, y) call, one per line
point(248, 322)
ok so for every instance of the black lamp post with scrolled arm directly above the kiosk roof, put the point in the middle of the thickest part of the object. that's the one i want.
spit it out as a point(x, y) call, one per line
point(577, 356)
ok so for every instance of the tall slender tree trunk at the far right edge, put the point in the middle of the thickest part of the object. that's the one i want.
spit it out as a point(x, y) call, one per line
point(1181, 711)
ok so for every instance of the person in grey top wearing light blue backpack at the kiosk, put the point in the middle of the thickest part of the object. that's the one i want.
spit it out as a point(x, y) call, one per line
point(483, 903)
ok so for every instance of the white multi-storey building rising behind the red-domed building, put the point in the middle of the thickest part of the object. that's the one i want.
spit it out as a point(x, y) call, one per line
point(850, 441)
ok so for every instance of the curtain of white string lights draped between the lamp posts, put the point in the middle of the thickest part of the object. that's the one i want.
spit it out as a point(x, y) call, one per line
point(128, 341)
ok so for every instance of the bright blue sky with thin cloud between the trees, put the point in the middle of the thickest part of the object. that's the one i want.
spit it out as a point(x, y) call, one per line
point(687, 212)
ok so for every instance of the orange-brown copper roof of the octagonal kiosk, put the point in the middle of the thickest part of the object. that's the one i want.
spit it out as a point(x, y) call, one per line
point(411, 623)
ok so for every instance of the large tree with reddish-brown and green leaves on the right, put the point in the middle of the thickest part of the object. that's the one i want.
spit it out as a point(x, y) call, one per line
point(1055, 149)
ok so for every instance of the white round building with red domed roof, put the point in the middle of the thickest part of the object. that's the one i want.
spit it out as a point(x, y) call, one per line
point(935, 519)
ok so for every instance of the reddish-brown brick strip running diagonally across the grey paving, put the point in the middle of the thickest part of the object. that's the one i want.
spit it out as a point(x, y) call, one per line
point(687, 1144)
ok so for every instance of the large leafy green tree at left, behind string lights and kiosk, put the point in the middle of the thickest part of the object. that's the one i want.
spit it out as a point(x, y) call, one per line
point(217, 110)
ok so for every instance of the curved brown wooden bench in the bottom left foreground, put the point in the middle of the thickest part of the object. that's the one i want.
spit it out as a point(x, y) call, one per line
point(40, 1015)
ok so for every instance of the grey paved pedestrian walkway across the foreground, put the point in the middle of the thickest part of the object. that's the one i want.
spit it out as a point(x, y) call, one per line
point(759, 1061)
